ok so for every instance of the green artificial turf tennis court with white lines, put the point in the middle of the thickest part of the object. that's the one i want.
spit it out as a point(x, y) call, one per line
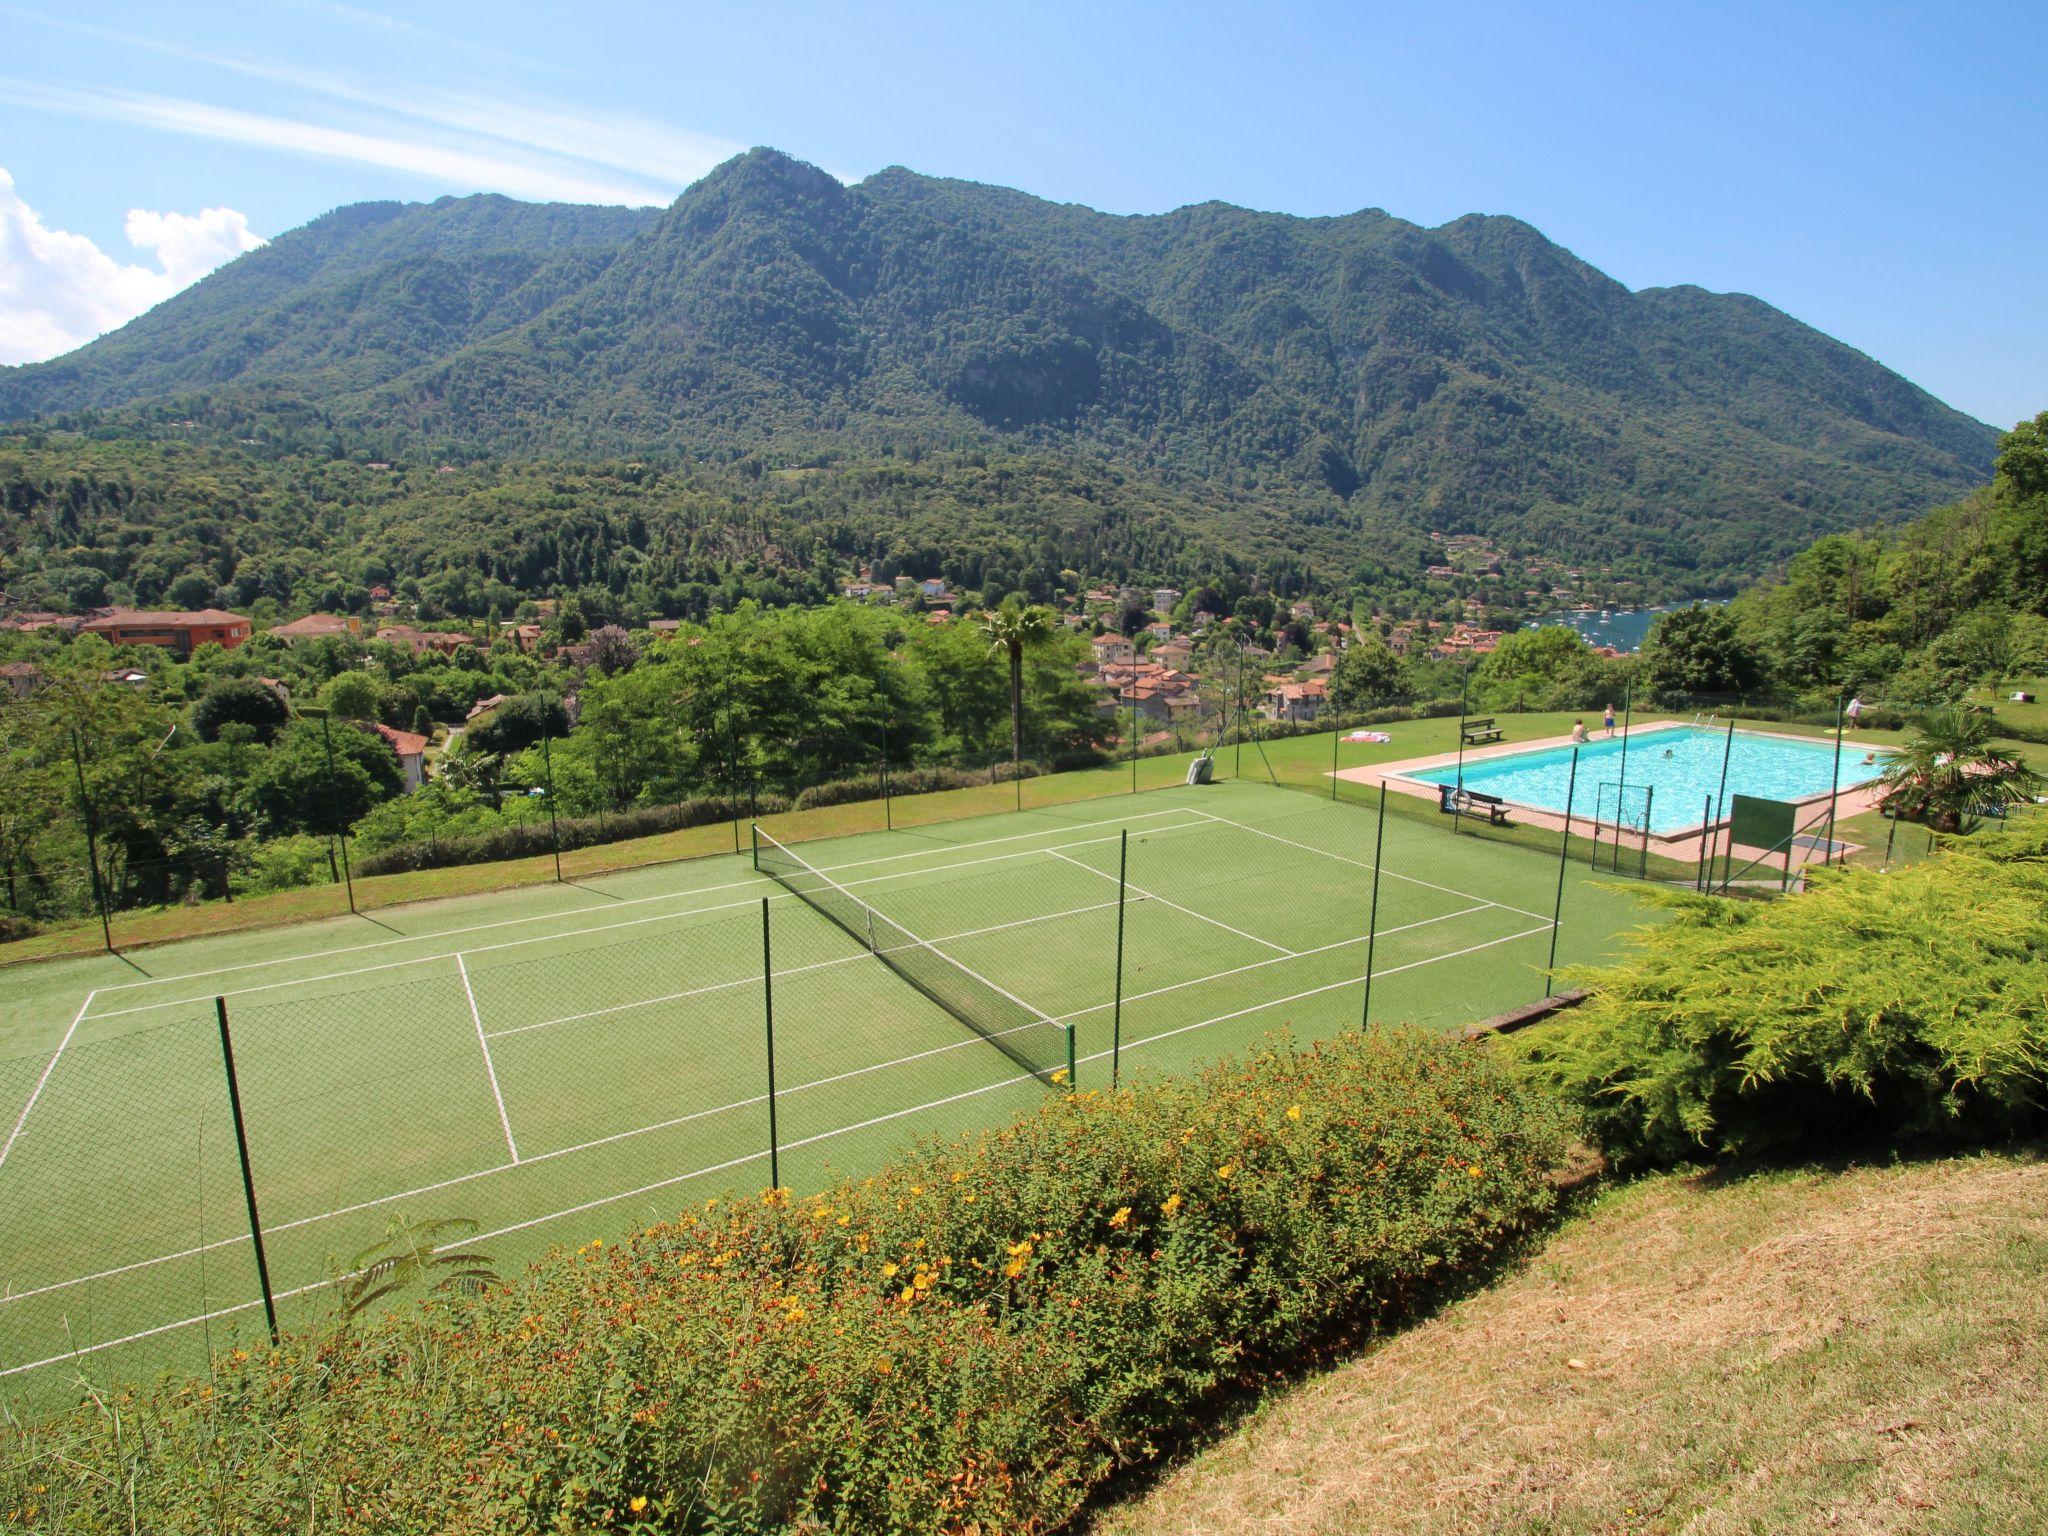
point(558, 1066)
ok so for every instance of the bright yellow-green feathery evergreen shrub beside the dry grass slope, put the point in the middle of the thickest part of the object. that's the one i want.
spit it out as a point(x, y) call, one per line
point(1877, 1005)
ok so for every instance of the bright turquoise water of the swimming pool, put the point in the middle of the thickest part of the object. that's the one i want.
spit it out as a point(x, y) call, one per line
point(1678, 765)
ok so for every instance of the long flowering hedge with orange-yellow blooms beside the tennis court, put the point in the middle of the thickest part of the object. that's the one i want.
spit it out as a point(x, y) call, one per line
point(970, 1340)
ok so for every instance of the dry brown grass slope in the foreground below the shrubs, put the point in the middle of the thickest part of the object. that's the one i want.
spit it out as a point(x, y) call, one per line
point(1861, 1351)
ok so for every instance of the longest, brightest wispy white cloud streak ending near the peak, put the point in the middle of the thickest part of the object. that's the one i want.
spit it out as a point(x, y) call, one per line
point(472, 169)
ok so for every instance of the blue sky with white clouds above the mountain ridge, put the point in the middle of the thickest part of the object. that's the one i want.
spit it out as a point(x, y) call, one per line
point(1875, 171)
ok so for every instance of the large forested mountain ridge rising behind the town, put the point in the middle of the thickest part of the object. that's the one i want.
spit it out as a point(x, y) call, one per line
point(1347, 374)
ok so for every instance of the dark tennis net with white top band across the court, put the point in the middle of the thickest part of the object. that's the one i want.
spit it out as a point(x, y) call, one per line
point(1037, 1043)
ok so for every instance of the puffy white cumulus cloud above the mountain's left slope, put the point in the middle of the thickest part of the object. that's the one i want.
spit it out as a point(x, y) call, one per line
point(60, 290)
